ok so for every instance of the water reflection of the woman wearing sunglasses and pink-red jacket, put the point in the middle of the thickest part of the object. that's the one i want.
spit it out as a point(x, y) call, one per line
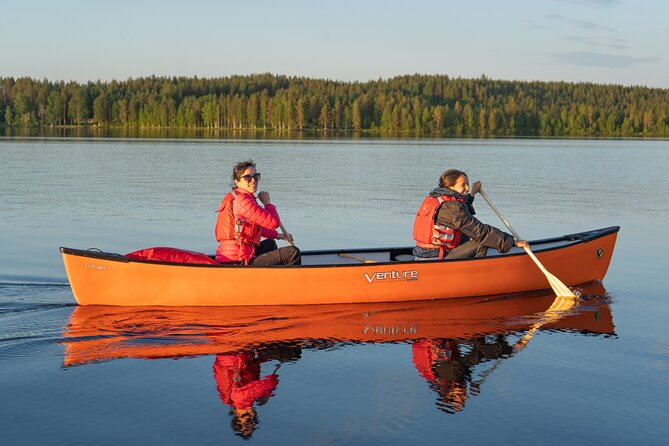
point(240, 385)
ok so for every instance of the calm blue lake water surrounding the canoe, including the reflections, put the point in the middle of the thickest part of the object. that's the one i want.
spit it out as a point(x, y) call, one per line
point(482, 371)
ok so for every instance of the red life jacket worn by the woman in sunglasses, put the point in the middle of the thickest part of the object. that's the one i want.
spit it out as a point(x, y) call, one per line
point(233, 229)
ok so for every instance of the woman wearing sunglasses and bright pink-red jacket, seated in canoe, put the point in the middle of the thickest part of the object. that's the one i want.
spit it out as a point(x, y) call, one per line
point(242, 223)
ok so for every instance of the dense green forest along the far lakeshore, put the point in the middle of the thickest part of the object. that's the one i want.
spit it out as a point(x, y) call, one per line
point(429, 105)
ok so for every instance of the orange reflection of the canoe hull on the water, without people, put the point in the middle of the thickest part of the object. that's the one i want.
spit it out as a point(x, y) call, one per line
point(102, 333)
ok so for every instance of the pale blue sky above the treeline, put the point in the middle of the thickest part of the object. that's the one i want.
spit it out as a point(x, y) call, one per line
point(602, 41)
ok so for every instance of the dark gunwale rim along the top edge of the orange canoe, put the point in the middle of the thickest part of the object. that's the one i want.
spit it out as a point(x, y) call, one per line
point(572, 239)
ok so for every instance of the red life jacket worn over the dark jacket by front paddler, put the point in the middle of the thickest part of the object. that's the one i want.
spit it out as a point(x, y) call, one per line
point(429, 235)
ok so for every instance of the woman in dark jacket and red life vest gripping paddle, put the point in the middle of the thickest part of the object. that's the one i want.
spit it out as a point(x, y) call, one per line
point(445, 226)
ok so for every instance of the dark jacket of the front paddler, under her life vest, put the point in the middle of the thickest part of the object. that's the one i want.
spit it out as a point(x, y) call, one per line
point(460, 216)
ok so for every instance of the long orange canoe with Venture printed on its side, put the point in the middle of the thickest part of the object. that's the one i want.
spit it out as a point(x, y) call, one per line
point(336, 276)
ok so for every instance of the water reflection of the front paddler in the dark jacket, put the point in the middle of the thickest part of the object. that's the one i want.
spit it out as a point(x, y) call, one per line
point(447, 366)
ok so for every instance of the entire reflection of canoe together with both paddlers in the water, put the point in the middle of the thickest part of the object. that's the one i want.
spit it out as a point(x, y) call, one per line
point(455, 343)
